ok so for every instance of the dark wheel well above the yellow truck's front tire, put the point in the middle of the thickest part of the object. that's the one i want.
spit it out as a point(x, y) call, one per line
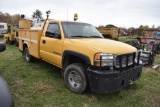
point(69, 59)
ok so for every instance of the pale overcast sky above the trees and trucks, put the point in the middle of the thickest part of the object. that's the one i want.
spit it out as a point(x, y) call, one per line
point(121, 13)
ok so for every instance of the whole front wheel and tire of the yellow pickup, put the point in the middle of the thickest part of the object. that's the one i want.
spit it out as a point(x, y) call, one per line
point(75, 78)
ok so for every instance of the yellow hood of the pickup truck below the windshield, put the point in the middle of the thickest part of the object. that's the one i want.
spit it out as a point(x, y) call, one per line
point(105, 45)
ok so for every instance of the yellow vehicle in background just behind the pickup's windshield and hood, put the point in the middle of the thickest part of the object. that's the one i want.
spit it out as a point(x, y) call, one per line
point(109, 32)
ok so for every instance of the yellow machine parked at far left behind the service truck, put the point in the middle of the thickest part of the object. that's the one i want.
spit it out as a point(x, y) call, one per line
point(12, 35)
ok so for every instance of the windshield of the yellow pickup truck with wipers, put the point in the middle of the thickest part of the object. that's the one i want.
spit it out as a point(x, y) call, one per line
point(80, 30)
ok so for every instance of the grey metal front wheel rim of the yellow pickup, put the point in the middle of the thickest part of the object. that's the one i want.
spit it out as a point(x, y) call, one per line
point(74, 79)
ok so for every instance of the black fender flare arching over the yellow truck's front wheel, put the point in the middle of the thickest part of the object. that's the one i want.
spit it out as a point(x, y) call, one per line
point(77, 54)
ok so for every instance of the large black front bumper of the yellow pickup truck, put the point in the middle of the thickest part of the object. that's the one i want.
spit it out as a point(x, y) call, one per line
point(106, 81)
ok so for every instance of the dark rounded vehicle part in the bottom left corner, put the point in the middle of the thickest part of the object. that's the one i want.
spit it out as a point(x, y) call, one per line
point(5, 95)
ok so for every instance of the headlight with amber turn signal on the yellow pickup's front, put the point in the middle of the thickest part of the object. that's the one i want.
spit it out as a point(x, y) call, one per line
point(103, 59)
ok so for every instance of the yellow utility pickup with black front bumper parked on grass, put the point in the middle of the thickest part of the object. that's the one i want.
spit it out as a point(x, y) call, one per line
point(85, 57)
